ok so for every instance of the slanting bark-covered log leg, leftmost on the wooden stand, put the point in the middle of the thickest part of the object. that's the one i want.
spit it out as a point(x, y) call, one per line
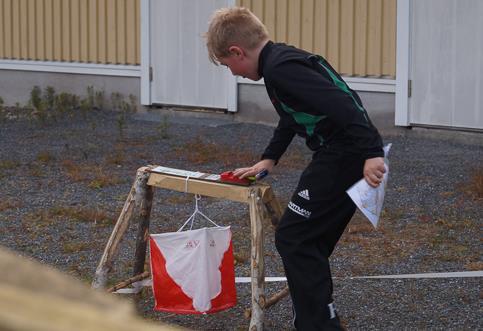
point(105, 264)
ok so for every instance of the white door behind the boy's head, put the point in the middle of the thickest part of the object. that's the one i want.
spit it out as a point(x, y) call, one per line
point(182, 75)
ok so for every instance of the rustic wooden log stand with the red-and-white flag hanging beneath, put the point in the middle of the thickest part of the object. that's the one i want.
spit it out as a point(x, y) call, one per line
point(259, 197)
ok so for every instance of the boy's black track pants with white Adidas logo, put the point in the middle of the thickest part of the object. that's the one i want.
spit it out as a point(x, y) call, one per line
point(308, 231)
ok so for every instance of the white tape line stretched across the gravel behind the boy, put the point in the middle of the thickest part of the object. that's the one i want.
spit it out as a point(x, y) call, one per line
point(462, 274)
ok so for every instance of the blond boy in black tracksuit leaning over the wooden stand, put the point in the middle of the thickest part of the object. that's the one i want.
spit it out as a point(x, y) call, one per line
point(314, 102)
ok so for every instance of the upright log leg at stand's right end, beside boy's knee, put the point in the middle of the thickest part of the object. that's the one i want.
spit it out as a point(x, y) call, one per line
point(257, 262)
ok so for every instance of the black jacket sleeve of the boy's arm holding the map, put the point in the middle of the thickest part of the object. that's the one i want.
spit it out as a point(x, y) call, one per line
point(327, 94)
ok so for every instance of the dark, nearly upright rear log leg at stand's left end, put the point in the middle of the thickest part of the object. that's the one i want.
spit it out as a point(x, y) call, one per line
point(144, 202)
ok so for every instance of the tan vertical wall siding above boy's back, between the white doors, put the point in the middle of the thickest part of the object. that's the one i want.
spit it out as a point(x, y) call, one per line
point(358, 37)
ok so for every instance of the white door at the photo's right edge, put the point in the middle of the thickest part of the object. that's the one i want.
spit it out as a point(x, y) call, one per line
point(446, 63)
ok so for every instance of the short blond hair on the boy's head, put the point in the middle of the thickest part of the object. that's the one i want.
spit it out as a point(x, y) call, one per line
point(233, 26)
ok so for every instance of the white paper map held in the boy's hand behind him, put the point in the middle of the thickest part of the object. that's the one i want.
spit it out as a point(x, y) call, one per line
point(369, 199)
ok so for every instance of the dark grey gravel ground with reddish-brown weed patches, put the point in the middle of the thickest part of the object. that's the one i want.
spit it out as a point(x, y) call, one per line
point(63, 184)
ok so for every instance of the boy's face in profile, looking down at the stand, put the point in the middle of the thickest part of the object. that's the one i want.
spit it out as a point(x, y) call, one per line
point(241, 64)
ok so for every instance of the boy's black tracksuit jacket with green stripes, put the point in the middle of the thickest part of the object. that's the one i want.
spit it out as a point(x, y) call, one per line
point(314, 102)
